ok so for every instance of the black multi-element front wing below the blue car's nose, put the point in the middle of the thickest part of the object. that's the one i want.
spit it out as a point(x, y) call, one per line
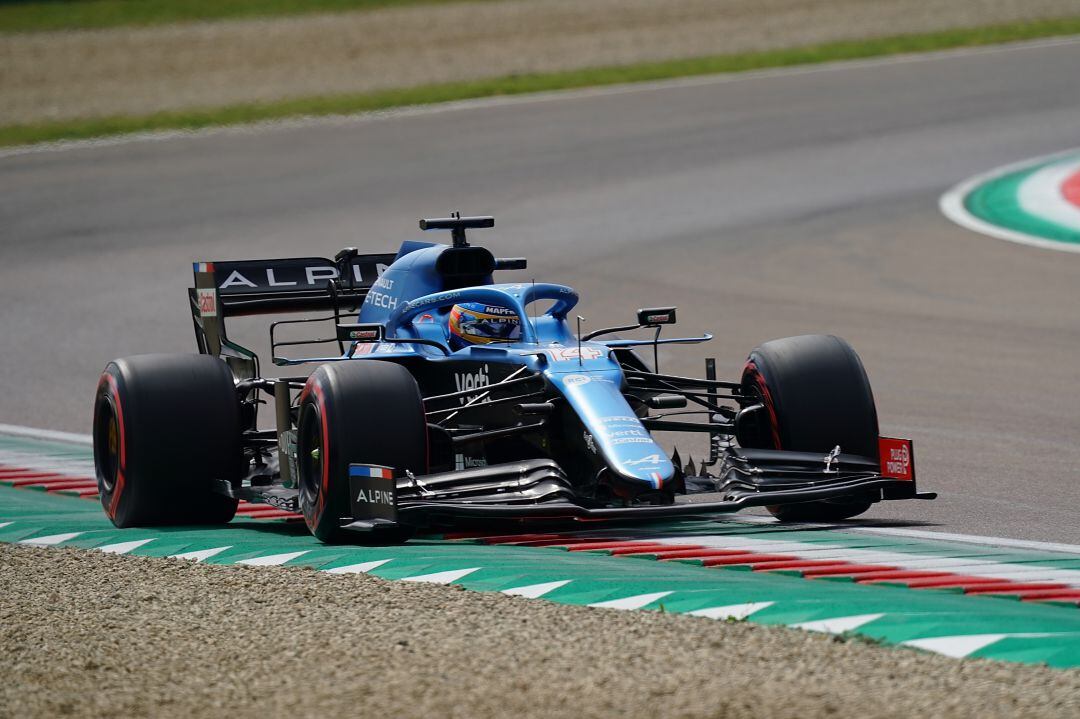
point(537, 491)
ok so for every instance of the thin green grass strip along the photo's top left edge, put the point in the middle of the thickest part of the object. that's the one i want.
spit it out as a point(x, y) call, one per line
point(40, 16)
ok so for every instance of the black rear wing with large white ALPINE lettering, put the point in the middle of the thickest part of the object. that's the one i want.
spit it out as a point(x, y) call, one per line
point(274, 287)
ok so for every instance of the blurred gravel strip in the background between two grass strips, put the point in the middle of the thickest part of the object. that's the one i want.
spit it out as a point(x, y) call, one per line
point(63, 76)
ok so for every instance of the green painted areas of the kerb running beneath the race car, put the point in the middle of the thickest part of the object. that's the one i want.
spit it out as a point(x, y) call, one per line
point(1035, 633)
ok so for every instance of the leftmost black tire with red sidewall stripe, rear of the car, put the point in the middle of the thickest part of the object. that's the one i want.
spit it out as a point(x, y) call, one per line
point(166, 428)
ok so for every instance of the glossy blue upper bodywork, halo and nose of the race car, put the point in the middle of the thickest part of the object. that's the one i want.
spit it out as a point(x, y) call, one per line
point(410, 300)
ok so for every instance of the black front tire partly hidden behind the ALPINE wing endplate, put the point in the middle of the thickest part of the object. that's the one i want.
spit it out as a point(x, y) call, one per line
point(360, 412)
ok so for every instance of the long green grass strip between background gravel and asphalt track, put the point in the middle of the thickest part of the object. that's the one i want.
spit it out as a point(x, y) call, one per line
point(530, 84)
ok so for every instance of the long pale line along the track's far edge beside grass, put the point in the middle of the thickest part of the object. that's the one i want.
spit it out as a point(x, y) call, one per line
point(487, 103)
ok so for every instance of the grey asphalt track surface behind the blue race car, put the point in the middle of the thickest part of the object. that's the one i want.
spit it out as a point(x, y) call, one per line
point(762, 206)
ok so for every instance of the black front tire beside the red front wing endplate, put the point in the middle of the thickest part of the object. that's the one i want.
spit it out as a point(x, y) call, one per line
point(817, 396)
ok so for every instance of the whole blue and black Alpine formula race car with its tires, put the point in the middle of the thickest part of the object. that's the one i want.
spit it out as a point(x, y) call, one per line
point(453, 400)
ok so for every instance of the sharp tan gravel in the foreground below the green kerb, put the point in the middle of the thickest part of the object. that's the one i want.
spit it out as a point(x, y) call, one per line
point(86, 634)
